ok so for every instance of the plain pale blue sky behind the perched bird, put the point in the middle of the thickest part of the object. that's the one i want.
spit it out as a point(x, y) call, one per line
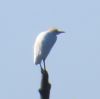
point(74, 62)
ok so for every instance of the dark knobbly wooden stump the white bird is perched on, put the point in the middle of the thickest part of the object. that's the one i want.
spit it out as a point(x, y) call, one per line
point(45, 85)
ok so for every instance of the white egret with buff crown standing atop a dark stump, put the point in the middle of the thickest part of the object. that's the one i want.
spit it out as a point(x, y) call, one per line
point(43, 44)
